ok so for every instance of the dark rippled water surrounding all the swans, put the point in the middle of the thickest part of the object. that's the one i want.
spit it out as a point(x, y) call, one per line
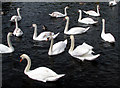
point(100, 73)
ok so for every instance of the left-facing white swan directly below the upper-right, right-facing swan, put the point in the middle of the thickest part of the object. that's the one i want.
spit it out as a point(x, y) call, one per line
point(85, 20)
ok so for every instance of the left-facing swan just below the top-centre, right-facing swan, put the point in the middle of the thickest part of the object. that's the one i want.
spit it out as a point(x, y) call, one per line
point(74, 30)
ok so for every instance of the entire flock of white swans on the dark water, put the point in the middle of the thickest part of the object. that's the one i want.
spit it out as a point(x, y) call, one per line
point(82, 52)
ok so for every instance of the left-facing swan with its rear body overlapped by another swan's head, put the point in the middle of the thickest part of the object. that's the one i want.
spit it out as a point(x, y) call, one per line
point(42, 36)
